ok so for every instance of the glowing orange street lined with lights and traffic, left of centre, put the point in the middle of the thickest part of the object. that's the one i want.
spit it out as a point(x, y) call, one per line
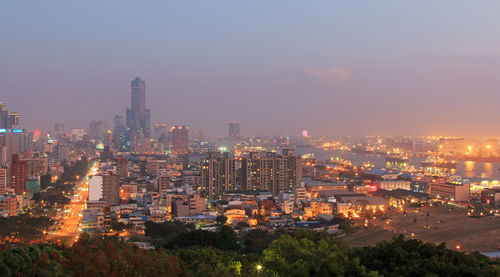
point(68, 229)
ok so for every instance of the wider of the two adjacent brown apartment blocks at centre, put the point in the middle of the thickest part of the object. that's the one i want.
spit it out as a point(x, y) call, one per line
point(271, 172)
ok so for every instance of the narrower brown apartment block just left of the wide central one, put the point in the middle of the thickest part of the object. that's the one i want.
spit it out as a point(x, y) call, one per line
point(218, 174)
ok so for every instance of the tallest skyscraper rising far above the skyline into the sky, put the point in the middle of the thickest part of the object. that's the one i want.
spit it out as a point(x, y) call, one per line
point(138, 117)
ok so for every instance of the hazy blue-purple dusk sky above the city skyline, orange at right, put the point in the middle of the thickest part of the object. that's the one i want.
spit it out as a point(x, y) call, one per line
point(278, 67)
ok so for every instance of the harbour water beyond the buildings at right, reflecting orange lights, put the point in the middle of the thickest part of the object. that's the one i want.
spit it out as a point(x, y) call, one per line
point(467, 169)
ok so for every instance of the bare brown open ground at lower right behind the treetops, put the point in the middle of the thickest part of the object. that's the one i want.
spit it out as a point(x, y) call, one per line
point(447, 224)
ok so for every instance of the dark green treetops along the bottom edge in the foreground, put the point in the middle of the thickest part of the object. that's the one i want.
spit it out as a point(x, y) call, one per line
point(189, 252)
